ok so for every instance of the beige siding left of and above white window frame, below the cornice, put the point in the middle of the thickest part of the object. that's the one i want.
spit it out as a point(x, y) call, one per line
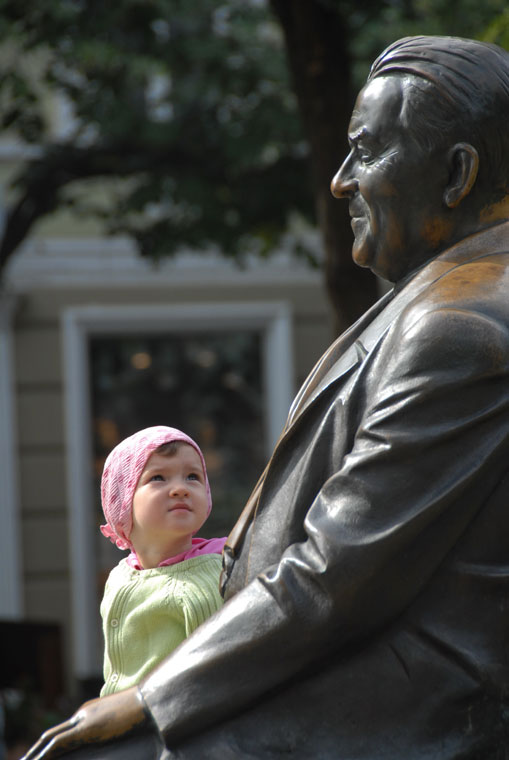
point(40, 412)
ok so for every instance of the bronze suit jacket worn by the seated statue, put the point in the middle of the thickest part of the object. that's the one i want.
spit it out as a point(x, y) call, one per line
point(367, 582)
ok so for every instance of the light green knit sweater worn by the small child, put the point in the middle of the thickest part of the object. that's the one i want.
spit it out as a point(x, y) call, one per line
point(148, 613)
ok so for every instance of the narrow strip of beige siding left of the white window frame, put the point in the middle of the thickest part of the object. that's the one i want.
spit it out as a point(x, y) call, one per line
point(42, 483)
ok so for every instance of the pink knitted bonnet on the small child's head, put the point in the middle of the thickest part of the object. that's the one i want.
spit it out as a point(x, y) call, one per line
point(121, 473)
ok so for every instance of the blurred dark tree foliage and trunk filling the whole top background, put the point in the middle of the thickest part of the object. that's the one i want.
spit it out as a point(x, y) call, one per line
point(188, 114)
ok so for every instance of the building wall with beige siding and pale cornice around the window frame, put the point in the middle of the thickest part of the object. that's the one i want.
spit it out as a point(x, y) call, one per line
point(47, 280)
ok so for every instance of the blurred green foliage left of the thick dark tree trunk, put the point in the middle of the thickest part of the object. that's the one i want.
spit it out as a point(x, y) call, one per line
point(187, 102)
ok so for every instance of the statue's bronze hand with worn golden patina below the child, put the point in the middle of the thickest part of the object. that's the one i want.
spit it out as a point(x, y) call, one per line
point(97, 721)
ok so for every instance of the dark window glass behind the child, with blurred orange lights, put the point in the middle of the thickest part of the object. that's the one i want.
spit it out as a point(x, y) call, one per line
point(207, 384)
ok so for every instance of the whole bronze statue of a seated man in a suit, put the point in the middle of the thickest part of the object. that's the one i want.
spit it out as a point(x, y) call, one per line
point(367, 580)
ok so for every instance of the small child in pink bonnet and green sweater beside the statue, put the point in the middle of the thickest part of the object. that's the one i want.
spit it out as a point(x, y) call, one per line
point(155, 497)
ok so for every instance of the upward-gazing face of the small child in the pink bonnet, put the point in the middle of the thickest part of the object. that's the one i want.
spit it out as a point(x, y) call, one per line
point(170, 502)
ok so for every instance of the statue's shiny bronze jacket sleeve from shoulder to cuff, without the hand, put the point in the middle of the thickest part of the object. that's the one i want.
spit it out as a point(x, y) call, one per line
point(435, 419)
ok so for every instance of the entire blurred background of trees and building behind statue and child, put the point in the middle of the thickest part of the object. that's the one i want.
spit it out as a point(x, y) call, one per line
point(169, 254)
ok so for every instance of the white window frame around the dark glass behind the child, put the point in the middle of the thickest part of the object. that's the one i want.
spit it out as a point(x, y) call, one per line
point(271, 318)
